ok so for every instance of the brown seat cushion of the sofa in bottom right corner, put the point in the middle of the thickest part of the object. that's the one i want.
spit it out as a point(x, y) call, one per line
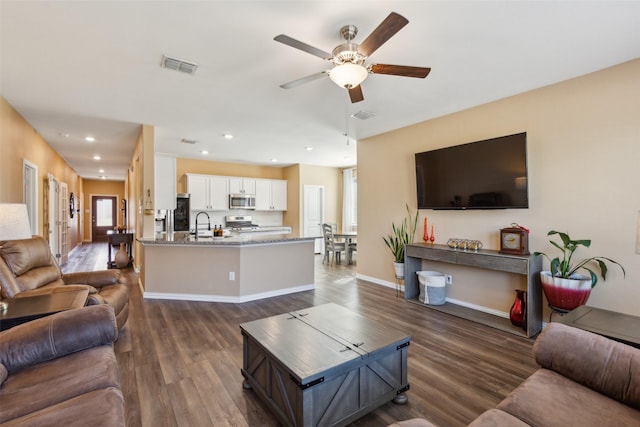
point(547, 398)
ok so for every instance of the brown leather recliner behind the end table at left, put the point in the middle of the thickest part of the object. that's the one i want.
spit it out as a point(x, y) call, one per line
point(28, 268)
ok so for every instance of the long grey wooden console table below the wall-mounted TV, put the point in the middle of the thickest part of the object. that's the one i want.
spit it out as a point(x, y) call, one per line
point(529, 266)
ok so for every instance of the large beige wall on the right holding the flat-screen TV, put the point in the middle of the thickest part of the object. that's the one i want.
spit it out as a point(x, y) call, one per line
point(583, 154)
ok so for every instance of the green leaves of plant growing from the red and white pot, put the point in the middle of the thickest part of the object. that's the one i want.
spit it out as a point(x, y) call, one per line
point(564, 268)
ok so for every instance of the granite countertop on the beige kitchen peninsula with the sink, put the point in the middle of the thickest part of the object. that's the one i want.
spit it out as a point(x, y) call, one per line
point(243, 239)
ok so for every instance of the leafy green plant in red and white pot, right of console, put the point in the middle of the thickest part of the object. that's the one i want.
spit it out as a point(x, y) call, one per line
point(565, 288)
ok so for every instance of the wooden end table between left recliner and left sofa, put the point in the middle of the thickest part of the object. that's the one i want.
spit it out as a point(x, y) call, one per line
point(21, 310)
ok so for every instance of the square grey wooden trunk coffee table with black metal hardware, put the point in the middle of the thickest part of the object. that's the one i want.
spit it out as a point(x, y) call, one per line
point(325, 365)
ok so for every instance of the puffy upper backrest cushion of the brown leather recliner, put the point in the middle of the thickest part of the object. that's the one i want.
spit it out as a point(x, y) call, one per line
point(27, 254)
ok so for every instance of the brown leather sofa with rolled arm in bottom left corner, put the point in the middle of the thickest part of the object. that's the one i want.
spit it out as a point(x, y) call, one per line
point(61, 370)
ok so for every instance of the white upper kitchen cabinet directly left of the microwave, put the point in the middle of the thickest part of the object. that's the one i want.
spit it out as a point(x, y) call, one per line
point(208, 192)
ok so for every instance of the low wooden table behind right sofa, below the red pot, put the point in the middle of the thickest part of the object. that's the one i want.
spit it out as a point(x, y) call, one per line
point(618, 326)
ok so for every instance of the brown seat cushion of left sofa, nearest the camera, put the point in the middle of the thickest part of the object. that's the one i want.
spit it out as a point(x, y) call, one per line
point(99, 408)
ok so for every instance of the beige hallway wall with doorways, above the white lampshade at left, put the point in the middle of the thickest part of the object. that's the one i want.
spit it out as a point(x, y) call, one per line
point(18, 141)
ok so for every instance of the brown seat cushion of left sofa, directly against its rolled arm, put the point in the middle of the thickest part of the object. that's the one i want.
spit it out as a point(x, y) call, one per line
point(46, 384)
